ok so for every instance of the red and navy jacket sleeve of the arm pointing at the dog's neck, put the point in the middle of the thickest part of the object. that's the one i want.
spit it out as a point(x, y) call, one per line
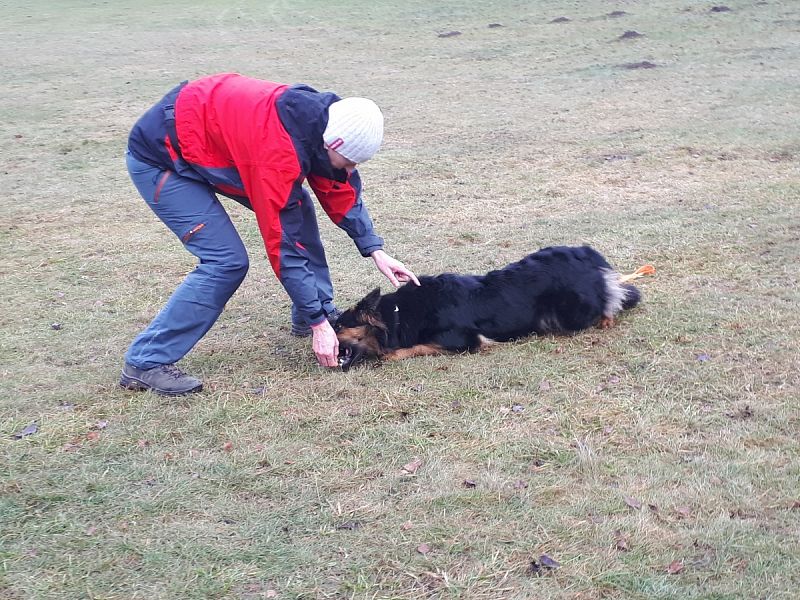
point(342, 203)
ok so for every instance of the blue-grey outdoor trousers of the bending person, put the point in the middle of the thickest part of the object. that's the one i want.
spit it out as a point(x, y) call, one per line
point(195, 215)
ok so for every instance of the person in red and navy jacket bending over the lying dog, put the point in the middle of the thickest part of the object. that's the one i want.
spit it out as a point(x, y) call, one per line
point(254, 141)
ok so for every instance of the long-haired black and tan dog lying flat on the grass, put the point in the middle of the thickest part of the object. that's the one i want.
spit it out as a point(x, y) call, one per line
point(557, 290)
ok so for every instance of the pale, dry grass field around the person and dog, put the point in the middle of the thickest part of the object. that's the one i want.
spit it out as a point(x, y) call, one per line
point(659, 459)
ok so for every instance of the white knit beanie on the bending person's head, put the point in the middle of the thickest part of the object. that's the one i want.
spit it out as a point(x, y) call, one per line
point(355, 128)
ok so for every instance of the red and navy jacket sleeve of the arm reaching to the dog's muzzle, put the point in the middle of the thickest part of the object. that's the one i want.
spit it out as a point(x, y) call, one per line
point(275, 196)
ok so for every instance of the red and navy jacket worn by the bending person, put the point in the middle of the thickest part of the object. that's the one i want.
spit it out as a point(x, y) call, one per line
point(257, 142)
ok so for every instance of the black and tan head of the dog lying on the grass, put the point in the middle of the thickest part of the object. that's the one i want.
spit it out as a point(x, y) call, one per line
point(361, 331)
